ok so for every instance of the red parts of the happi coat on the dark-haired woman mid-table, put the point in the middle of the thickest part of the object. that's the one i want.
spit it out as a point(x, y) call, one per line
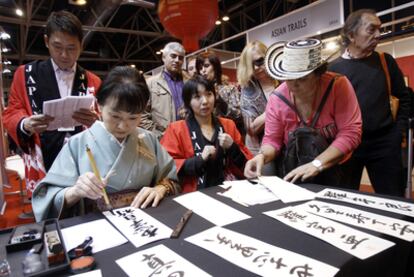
point(176, 140)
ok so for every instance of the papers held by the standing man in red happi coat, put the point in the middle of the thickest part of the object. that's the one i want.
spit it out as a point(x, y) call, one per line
point(62, 110)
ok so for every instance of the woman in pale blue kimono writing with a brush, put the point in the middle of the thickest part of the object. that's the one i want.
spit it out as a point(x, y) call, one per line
point(131, 160)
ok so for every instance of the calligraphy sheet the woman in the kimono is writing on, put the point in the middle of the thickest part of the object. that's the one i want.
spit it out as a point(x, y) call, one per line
point(139, 227)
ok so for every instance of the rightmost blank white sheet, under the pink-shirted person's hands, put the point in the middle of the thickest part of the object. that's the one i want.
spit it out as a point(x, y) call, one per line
point(287, 192)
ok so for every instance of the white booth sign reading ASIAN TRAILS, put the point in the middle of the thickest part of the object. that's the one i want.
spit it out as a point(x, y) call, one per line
point(319, 17)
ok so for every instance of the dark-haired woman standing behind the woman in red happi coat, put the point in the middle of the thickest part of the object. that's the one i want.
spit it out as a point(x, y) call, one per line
point(208, 65)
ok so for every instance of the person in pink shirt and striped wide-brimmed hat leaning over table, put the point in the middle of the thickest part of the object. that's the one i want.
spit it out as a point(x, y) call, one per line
point(302, 65)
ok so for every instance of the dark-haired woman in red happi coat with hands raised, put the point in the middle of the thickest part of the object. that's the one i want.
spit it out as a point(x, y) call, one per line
point(207, 149)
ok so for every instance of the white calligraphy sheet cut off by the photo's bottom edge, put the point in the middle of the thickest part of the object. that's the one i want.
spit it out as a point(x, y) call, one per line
point(158, 261)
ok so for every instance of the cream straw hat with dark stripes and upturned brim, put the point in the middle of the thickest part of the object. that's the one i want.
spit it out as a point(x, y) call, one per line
point(296, 59)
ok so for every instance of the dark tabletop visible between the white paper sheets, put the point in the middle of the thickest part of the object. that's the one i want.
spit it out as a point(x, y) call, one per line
point(394, 261)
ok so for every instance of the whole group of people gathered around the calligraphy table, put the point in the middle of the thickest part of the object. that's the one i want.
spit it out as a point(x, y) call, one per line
point(183, 130)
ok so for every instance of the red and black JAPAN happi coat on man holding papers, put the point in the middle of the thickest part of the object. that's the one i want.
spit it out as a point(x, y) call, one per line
point(19, 107)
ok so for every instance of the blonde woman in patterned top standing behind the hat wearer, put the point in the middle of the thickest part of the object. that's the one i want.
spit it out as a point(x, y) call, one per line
point(256, 87)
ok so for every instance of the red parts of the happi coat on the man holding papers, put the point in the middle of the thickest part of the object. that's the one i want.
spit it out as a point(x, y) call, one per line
point(18, 108)
